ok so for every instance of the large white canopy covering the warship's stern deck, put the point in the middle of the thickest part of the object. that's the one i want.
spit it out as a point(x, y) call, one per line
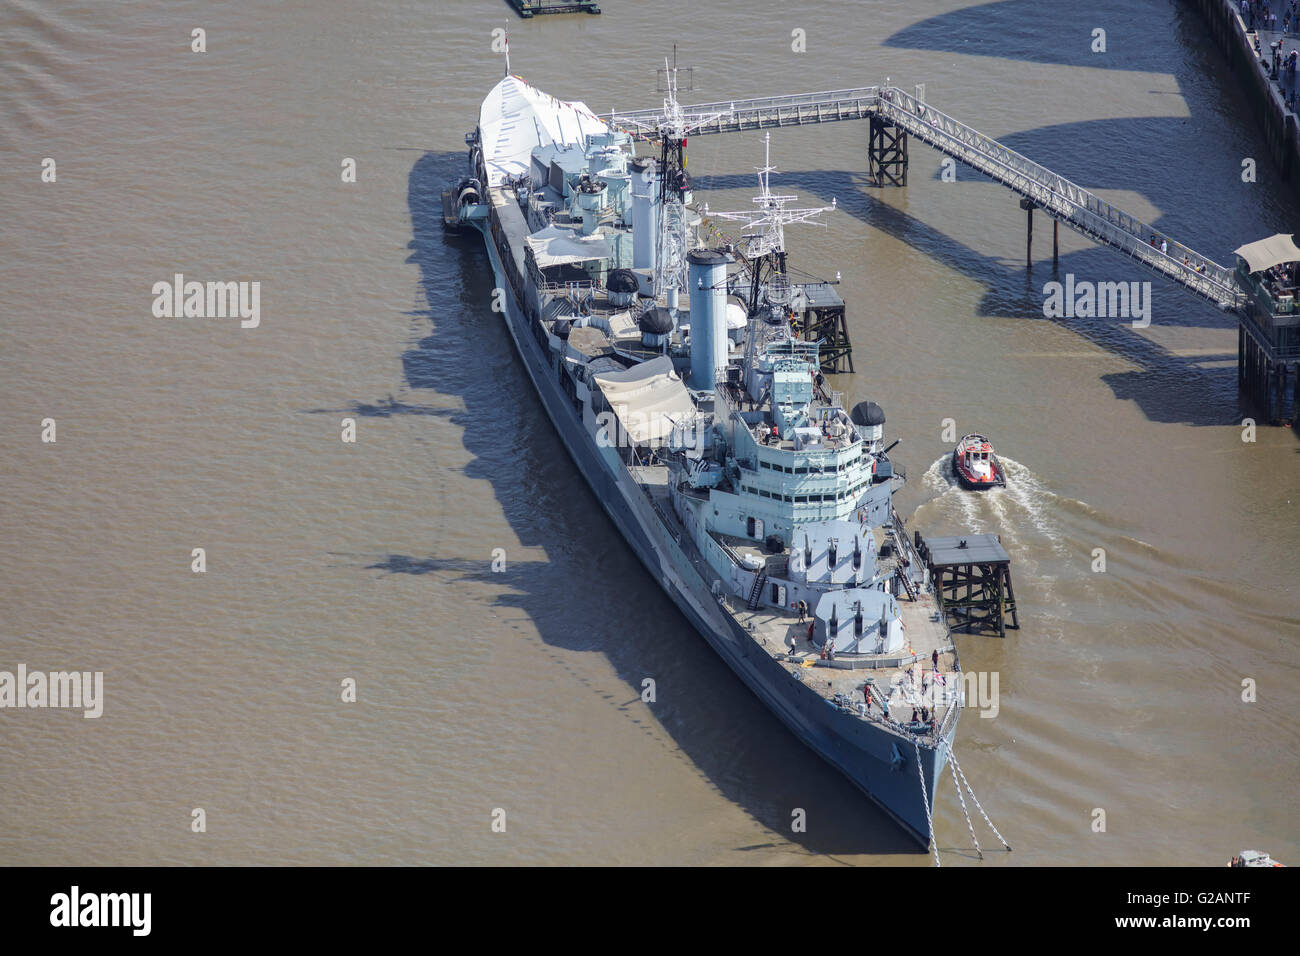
point(517, 119)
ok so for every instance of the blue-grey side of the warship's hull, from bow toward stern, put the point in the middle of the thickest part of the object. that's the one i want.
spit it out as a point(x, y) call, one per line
point(881, 764)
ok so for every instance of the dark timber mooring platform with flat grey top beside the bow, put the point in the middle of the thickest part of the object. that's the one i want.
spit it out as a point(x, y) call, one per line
point(980, 566)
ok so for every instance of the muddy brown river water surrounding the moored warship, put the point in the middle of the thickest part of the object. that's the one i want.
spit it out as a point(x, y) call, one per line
point(521, 691)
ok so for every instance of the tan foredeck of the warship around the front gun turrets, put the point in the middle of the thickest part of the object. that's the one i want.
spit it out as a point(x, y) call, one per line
point(900, 677)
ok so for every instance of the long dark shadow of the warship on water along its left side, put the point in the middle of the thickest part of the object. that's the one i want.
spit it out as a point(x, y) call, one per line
point(591, 592)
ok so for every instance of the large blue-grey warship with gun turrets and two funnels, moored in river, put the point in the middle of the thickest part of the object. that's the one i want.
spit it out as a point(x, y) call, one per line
point(675, 377)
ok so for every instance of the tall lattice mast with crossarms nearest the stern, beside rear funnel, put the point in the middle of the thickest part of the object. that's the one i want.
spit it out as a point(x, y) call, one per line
point(671, 128)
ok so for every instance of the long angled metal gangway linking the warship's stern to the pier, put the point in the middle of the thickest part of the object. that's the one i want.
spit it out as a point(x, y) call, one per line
point(1064, 201)
